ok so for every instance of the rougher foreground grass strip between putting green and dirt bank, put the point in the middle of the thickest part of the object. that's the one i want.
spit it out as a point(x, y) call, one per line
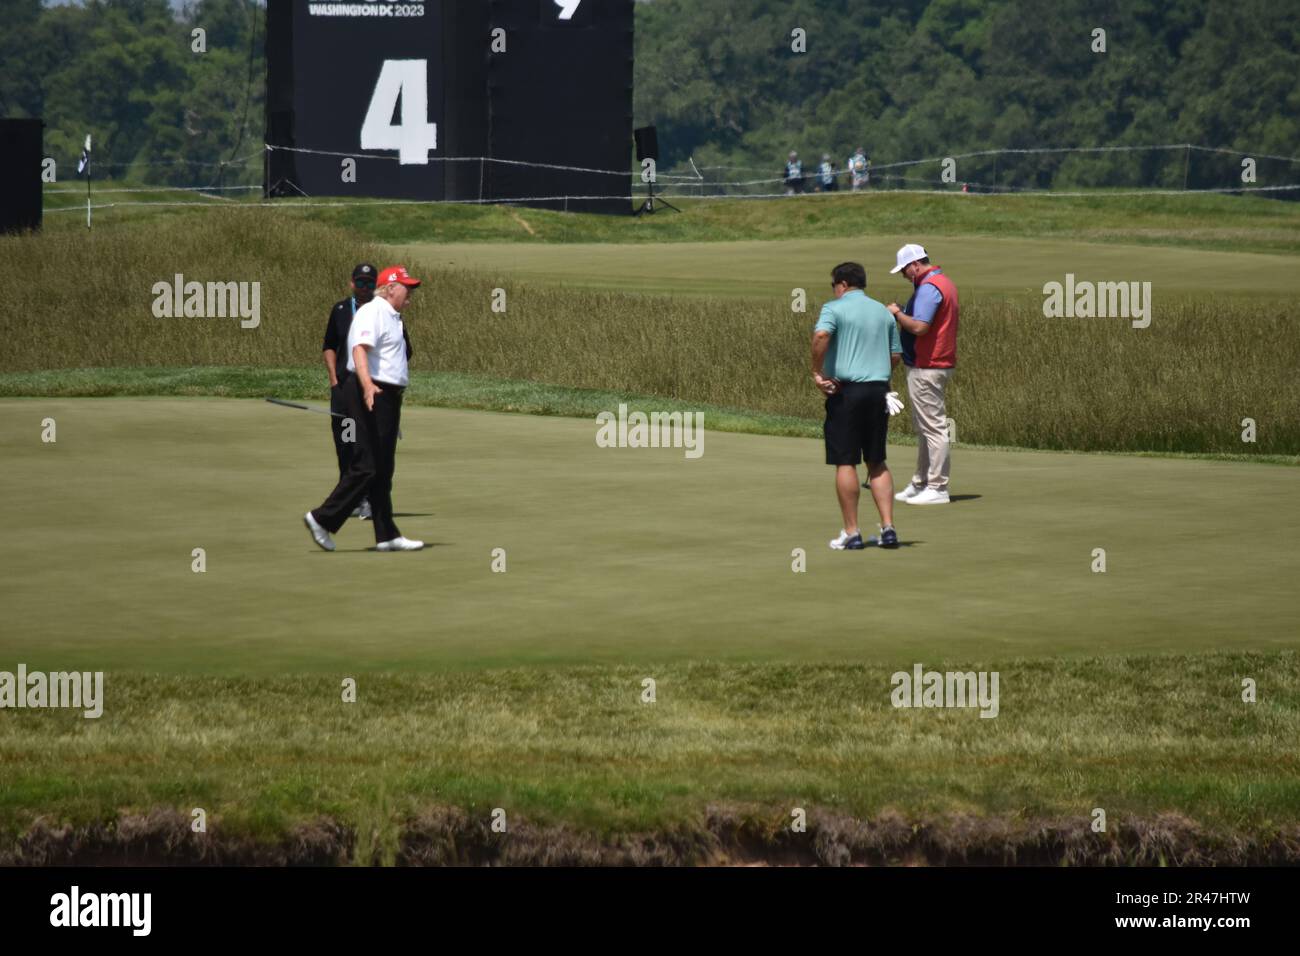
point(1217, 797)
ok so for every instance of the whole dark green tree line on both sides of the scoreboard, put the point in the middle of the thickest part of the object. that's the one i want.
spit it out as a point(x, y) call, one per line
point(725, 85)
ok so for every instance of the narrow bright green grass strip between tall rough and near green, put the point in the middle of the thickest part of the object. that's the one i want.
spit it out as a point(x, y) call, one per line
point(471, 393)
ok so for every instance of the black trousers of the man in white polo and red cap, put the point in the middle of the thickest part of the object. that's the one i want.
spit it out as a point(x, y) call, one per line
point(372, 461)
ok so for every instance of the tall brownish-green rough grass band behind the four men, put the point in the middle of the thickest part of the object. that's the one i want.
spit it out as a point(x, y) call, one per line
point(1185, 384)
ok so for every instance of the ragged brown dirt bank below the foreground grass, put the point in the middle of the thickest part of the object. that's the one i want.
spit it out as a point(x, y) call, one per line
point(725, 837)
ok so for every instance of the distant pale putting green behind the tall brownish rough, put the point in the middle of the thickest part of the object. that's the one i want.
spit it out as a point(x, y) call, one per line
point(982, 266)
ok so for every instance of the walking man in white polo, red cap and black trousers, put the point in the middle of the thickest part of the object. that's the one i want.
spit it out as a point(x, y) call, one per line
point(378, 360)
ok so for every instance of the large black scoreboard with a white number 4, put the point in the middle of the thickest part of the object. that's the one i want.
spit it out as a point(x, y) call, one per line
point(401, 100)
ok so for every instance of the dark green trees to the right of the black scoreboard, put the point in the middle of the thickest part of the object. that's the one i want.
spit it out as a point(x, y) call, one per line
point(920, 79)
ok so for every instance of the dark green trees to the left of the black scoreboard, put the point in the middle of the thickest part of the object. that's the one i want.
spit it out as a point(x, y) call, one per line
point(127, 72)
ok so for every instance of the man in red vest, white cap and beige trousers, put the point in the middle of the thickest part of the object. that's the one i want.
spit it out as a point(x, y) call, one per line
point(929, 331)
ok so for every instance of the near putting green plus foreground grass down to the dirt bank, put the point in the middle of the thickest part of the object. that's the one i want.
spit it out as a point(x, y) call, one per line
point(522, 690)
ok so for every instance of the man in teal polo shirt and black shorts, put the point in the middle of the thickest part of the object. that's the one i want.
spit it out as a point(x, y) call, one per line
point(856, 347)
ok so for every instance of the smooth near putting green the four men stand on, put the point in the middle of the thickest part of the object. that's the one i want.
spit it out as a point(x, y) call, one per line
point(616, 556)
